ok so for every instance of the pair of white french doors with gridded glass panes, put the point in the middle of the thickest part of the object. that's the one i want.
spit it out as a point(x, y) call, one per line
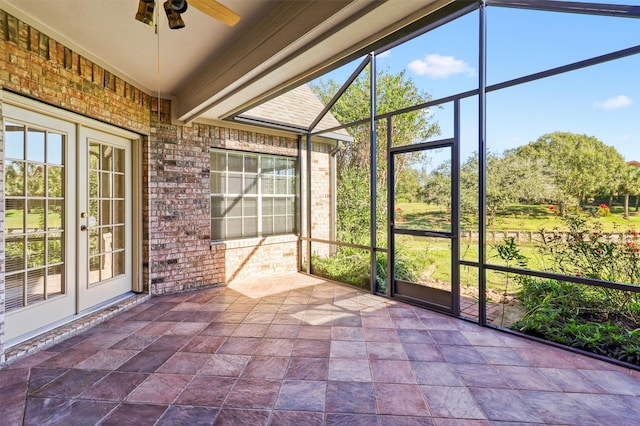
point(68, 219)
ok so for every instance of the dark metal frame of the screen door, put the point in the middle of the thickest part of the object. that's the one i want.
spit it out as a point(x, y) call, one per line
point(432, 298)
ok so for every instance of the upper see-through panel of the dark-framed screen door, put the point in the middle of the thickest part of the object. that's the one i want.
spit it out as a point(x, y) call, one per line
point(423, 190)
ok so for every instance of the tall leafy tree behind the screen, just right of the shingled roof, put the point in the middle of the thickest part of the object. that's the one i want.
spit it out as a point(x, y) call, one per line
point(394, 91)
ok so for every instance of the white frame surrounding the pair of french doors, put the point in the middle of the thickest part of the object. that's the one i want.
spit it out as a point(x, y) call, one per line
point(26, 106)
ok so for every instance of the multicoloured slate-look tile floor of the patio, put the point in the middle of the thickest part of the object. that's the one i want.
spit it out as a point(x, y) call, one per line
point(296, 350)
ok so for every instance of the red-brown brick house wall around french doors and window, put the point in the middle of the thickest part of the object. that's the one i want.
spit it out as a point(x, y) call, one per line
point(177, 251)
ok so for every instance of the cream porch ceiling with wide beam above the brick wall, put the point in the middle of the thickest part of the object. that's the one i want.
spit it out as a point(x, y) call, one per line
point(211, 70)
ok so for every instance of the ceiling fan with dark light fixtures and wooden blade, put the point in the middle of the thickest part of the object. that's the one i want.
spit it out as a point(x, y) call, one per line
point(174, 9)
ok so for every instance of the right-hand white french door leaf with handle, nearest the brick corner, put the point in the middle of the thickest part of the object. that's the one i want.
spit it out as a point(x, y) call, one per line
point(104, 215)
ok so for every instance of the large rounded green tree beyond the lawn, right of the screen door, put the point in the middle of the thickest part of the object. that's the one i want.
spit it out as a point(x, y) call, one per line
point(581, 165)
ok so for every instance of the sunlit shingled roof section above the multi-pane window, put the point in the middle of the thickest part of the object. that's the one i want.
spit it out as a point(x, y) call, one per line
point(297, 108)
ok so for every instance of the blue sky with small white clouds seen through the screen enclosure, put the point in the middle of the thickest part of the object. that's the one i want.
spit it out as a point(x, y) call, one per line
point(601, 101)
